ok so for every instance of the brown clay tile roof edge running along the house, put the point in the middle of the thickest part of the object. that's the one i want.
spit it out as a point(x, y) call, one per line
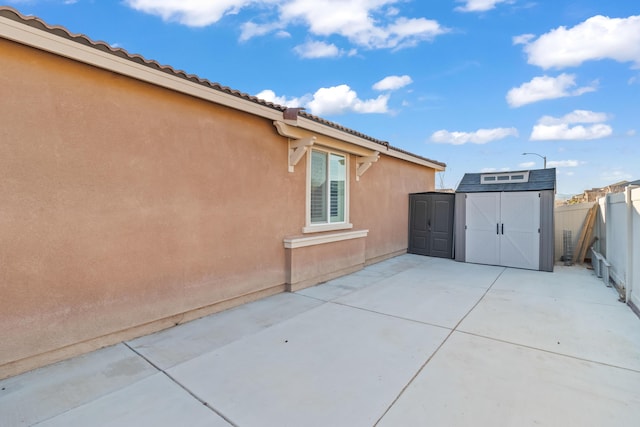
point(11, 13)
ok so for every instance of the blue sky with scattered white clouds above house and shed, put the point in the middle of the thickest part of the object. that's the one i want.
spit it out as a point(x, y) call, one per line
point(472, 83)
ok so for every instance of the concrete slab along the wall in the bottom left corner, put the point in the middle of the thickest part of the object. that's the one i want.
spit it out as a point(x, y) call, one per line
point(46, 392)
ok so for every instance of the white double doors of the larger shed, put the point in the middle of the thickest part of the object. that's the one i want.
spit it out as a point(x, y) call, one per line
point(503, 229)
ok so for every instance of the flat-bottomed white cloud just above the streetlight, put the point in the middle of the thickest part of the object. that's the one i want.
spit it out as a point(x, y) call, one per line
point(551, 128)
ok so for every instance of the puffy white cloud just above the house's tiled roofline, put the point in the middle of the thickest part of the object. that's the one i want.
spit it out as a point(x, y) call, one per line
point(331, 101)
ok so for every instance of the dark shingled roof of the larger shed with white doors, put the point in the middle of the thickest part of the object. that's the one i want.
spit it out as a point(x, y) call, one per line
point(539, 179)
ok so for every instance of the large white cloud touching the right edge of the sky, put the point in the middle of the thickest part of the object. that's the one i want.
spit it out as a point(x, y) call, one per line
point(599, 37)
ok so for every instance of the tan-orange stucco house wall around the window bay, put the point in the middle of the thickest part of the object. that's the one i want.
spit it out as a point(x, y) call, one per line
point(124, 204)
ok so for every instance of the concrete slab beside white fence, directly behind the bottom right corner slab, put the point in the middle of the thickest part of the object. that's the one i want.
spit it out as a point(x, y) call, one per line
point(591, 331)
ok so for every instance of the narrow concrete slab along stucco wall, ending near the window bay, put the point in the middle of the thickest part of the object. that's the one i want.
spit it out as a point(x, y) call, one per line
point(176, 345)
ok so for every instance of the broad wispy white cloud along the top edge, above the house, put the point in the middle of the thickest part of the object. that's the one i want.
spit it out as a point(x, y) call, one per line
point(372, 24)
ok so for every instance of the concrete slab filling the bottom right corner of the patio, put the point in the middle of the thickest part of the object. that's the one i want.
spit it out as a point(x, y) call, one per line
point(474, 381)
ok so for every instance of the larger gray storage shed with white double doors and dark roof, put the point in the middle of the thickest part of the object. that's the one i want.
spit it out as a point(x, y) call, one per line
point(506, 218)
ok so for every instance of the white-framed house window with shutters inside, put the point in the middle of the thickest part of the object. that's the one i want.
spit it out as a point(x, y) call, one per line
point(327, 196)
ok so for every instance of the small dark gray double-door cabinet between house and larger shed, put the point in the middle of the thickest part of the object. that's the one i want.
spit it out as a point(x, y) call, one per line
point(431, 224)
